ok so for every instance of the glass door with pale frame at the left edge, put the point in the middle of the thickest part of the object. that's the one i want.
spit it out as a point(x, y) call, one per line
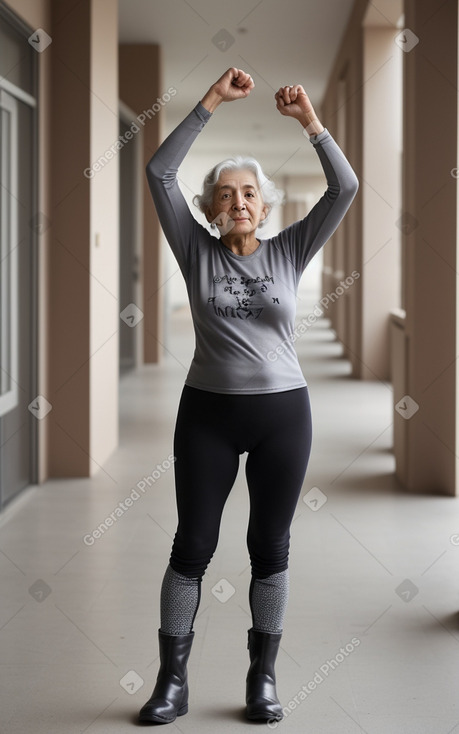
point(17, 319)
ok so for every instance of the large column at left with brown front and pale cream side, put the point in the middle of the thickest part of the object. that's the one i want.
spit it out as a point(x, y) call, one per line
point(83, 274)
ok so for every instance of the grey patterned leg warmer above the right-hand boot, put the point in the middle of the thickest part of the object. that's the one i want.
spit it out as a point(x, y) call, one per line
point(268, 601)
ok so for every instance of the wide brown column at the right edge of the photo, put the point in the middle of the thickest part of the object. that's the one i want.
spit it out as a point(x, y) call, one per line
point(429, 241)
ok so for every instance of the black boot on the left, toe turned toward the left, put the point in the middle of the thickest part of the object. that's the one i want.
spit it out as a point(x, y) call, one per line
point(170, 695)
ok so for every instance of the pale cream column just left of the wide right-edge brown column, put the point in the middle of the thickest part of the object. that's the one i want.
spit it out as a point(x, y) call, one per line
point(380, 190)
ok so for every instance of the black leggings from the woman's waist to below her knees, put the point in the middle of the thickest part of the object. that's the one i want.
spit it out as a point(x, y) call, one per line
point(211, 431)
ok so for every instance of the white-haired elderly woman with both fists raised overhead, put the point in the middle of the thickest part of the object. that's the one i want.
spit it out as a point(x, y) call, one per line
point(242, 292)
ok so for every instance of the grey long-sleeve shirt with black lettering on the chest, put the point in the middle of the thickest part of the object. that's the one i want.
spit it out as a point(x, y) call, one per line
point(244, 306)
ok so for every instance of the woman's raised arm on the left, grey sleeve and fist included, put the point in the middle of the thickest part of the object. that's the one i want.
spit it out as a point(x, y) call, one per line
point(178, 223)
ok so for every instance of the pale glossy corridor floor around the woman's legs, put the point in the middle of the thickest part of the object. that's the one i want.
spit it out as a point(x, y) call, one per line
point(373, 571)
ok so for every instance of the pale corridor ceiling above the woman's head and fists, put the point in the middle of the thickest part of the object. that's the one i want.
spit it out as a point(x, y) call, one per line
point(278, 42)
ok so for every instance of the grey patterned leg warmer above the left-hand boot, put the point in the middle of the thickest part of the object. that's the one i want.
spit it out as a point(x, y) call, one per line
point(180, 597)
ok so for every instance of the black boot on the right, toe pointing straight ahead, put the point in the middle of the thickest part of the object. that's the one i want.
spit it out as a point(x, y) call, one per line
point(261, 697)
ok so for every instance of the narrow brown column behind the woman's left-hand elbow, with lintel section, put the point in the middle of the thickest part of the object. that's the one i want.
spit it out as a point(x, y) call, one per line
point(140, 89)
